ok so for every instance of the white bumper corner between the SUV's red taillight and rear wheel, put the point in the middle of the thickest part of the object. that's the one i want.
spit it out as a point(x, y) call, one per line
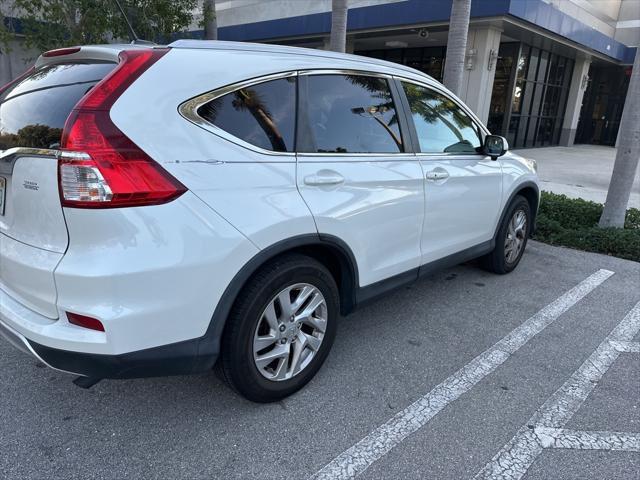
point(153, 275)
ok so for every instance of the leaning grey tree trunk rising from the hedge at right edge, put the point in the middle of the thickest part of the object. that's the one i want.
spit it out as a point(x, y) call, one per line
point(626, 164)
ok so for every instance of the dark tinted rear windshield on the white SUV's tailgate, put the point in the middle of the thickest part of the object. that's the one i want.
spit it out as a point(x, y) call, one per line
point(33, 112)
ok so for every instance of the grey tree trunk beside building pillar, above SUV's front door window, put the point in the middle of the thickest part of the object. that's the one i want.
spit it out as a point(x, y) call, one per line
point(457, 45)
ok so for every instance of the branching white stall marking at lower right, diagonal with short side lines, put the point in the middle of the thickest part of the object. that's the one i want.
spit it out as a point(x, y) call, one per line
point(544, 429)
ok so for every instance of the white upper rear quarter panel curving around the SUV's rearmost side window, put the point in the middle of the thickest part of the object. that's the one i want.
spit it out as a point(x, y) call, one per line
point(255, 192)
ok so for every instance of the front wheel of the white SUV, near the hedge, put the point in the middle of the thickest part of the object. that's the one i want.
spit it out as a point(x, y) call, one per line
point(511, 238)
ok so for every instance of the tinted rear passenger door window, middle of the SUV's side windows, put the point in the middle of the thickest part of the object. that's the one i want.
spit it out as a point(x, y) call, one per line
point(347, 114)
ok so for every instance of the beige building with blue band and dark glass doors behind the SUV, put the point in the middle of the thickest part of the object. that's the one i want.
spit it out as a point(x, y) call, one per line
point(539, 72)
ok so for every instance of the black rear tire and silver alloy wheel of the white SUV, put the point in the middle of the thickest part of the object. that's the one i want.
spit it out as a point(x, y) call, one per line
point(268, 307)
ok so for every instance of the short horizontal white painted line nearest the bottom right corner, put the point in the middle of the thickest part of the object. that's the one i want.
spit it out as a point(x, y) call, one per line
point(583, 440)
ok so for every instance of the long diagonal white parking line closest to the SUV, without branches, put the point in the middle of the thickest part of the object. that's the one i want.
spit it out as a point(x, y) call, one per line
point(383, 439)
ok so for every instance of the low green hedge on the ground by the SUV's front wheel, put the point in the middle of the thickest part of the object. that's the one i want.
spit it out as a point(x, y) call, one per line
point(574, 223)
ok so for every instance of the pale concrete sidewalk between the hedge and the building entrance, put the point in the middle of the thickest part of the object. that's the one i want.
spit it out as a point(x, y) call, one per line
point(581, 171)
